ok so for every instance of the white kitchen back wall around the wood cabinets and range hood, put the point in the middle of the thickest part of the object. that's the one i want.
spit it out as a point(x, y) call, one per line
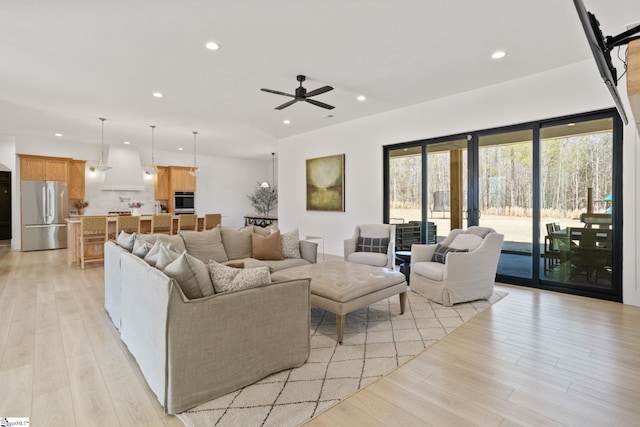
point(222, 185)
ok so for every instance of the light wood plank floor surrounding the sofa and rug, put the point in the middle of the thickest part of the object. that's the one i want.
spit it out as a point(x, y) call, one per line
point(535, 358)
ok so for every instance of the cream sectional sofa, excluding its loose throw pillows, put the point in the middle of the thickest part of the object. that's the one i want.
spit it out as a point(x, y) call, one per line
point(194, 350)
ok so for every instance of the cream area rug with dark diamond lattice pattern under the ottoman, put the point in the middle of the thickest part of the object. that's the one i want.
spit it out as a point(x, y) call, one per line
point(377, 340)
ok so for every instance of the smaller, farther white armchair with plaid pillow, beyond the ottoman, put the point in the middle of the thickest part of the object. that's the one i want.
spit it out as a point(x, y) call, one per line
point(368, 245)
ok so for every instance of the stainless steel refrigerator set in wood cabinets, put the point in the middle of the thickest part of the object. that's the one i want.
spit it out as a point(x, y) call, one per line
point(44, 210)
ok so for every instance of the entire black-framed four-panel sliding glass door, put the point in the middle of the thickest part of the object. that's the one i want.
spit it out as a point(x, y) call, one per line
point(553, 188)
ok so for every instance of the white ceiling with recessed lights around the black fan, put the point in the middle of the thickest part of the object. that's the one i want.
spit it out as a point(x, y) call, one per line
point(65, 63)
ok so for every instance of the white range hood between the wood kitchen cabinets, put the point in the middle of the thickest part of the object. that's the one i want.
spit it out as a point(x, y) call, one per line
point(126, 173)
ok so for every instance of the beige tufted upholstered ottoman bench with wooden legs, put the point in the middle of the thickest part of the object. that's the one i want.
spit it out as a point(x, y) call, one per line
point(342, 287)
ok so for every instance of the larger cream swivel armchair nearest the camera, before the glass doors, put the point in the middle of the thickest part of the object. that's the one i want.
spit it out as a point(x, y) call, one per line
point(469, 269)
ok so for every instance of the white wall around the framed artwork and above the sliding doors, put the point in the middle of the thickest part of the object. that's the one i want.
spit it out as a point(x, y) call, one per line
point(568, 90)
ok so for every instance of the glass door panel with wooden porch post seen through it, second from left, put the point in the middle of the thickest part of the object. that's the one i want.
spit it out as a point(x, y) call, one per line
point(446, 187)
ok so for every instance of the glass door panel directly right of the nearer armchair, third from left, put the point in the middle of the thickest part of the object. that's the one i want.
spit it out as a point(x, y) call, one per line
point(505, 188)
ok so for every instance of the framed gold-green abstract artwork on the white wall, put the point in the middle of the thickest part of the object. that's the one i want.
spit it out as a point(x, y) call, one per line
point(325, 183)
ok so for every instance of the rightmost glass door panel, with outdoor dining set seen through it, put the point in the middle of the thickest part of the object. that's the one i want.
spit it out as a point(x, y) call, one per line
point(576, 204)
